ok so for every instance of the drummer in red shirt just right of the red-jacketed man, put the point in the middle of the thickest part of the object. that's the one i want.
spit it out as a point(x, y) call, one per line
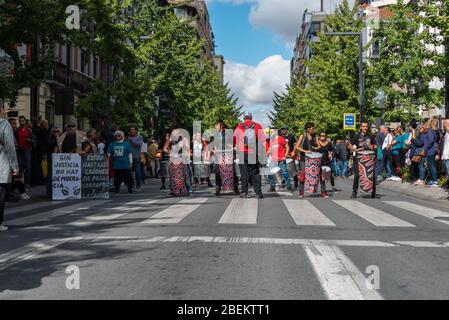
point(278, 151)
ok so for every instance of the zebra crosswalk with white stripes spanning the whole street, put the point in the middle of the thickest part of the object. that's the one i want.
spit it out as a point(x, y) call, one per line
point(211, 211)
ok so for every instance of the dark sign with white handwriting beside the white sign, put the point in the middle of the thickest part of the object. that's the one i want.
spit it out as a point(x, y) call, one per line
point(95, 176)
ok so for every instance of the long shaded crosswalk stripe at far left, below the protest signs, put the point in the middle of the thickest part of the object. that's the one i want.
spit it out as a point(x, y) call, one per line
point(48, 215)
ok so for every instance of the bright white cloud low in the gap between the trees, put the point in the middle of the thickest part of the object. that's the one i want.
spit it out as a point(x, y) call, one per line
point(254, 85)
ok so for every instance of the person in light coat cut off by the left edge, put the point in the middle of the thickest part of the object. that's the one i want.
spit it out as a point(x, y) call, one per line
point(9, 166)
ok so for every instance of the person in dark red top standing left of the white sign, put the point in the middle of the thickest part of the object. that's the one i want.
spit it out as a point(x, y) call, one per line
point(24, 136)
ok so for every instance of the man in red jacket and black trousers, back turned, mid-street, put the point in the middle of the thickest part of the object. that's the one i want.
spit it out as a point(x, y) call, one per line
point(249, 140)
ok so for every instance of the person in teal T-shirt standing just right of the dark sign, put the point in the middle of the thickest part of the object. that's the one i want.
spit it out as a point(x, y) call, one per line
point(122, 160)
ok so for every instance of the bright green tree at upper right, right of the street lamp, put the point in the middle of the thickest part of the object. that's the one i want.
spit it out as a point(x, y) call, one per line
point(401, 70)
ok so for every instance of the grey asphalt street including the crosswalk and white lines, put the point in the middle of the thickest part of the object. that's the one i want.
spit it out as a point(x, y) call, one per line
point(151, 246)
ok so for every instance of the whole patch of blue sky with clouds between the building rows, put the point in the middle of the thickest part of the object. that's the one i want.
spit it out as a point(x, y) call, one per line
point(256, 38)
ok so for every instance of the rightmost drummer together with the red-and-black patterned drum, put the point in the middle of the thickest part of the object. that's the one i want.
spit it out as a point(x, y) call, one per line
point(364, 146)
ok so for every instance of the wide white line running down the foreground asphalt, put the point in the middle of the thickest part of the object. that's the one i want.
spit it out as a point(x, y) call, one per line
point(338, 276)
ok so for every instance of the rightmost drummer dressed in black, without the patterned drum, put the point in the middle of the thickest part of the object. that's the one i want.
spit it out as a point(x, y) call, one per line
point(362, 141)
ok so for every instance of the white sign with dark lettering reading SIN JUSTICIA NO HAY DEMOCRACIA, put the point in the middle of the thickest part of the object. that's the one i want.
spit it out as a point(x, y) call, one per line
point(66, 180)
